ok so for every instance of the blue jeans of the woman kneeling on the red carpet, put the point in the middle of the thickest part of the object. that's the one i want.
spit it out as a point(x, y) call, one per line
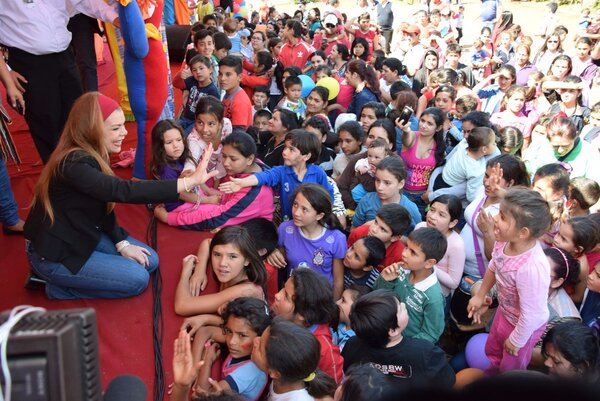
point(106, 274)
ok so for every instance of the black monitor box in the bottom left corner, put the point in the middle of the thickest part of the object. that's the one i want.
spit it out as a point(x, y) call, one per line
point(53, 356)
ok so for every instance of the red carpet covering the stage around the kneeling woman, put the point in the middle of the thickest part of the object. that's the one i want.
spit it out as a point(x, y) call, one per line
point(125, 325)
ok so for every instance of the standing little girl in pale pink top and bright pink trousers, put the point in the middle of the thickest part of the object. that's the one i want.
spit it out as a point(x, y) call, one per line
point(521, 273)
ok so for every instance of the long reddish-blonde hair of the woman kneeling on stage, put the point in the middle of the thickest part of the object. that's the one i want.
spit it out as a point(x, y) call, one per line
point(83, 131)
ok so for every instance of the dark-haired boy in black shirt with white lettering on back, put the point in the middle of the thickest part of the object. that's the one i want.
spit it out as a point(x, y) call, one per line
point(380, 320)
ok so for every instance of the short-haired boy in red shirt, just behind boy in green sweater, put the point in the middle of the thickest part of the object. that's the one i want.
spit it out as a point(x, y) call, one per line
point(391, 221)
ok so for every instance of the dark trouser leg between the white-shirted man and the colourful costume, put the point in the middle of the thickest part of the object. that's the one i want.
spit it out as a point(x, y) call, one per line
point(83, 28)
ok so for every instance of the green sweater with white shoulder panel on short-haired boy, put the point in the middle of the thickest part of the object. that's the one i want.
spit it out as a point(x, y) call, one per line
point(424, 304)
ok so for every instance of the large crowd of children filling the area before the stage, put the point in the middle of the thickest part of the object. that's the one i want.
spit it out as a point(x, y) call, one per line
point(374, 192)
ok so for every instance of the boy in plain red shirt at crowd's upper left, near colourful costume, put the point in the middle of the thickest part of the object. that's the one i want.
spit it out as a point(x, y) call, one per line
point(230, 77)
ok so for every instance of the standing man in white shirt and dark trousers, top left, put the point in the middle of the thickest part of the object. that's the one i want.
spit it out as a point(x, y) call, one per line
point(43, 67)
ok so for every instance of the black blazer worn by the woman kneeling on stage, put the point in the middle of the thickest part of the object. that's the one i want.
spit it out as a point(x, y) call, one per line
point(79, 194)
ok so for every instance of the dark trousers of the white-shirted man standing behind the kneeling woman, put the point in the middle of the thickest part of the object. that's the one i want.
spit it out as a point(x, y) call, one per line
point(52, 88)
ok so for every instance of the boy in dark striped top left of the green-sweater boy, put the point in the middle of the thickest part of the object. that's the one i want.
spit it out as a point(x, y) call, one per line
point(361, 261)
